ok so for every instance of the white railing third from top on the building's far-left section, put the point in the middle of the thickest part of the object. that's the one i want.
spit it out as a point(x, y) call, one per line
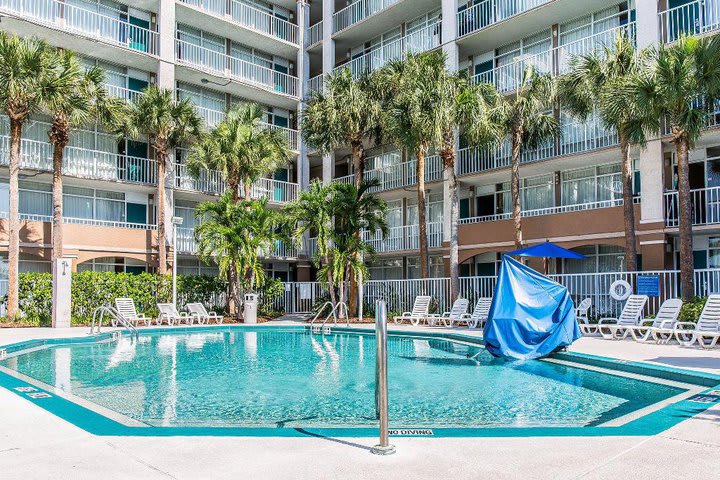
point(83, 162)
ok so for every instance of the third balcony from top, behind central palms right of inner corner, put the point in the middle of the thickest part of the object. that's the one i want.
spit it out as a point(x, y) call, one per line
point(398, 175)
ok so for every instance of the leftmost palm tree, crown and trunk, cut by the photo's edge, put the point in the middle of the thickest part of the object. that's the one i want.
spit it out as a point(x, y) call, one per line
point(24, 64)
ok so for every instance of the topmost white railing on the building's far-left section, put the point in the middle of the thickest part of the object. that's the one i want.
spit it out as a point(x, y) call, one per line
point(113, 29)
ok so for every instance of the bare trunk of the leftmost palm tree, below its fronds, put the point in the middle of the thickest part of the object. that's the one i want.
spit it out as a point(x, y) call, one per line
point(14, 220)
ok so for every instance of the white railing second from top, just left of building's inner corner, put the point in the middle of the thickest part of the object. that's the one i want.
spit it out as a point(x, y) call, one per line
point(236, 68)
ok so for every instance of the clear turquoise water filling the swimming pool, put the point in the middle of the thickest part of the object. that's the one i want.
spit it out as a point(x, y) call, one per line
point(292, 378)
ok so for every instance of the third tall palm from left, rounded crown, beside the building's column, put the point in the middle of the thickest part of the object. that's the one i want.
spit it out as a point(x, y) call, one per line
point(168, 124)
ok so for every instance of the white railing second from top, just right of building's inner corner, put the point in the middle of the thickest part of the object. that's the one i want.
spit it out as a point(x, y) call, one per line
point(418, 41)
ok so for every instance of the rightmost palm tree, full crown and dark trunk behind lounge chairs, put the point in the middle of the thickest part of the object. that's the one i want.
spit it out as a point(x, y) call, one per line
point(683, 86)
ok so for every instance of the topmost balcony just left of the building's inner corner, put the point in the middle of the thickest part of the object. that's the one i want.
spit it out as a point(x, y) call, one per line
point(245, 16)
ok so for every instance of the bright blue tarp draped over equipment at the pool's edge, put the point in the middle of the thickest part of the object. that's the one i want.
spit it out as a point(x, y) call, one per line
point(530, 316)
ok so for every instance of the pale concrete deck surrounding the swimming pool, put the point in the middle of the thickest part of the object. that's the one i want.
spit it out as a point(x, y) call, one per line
point(35, 444)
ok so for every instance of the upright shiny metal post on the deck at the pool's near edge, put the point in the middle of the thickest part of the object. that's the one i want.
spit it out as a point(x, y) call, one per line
point(381, 384)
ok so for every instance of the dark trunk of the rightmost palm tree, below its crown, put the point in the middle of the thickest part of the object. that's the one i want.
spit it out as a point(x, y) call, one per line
point(685, 217)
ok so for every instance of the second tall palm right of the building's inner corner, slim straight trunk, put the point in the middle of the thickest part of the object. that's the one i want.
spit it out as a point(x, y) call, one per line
point(411, 119)
